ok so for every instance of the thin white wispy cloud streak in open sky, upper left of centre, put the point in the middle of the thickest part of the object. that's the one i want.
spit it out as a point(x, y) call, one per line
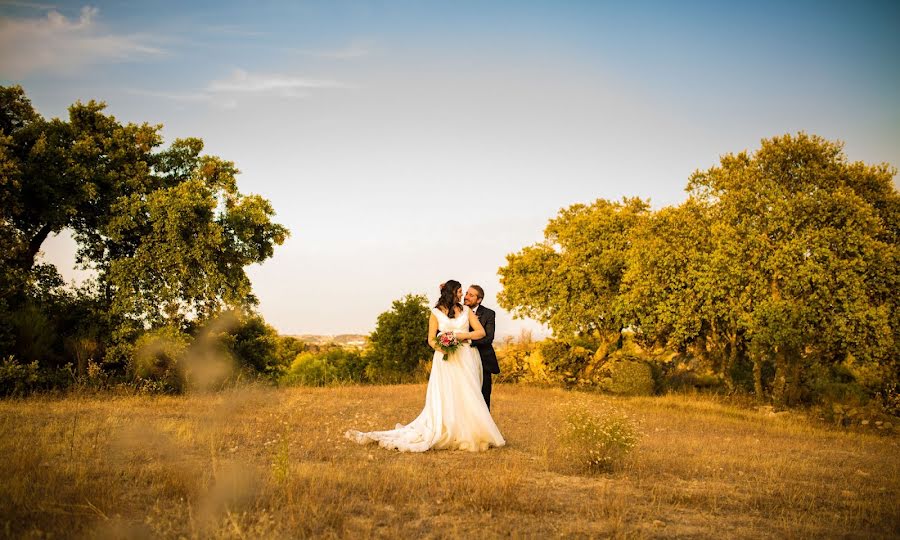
point(226, 92)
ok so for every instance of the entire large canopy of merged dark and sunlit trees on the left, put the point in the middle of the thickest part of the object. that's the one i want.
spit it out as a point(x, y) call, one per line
point(166, 229)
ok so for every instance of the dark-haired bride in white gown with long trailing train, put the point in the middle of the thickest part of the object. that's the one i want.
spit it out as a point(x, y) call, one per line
point(455, 415)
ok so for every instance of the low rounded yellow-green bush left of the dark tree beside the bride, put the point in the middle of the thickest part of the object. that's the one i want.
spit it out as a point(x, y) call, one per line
point(335, 366)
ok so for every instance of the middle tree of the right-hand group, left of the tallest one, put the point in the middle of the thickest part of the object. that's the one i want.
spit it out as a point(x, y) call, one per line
point(677, 292)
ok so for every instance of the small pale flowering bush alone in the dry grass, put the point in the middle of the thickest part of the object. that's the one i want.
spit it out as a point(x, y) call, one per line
point(594, 442)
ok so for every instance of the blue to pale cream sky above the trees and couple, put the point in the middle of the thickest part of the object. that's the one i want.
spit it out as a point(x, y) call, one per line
point(405, 143)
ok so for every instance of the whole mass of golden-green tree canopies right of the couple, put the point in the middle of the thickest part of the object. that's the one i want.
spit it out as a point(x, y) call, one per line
point(785, 259)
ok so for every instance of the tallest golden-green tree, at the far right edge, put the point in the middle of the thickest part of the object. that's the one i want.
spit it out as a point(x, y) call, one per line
point(807, 243)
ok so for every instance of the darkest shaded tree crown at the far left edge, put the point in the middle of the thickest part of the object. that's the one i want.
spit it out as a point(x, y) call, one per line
point(67, 174)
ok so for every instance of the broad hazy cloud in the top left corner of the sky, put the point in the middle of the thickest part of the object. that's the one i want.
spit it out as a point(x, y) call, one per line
point(55, 43)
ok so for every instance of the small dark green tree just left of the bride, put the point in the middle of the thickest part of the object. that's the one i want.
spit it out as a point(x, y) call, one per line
point(399, 344)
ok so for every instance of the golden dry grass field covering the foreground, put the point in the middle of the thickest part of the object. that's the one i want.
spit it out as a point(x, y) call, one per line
point(261, 463)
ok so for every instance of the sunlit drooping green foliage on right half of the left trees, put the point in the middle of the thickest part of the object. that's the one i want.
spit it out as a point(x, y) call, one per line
point(182, 251)
